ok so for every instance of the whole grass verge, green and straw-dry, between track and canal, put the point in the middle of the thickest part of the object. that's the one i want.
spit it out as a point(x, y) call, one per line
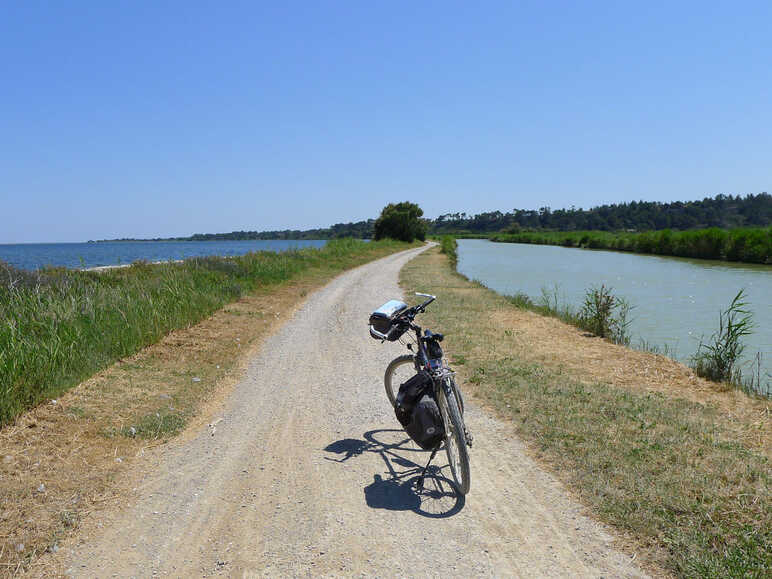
point(653, 450)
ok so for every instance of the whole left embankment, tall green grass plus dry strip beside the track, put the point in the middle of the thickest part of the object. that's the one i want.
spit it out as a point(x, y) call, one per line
point(73, 455)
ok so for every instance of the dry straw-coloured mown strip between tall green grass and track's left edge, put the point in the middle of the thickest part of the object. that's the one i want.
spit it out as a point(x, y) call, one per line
point(62, 461)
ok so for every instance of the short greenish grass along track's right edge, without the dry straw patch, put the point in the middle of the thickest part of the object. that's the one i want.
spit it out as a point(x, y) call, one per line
point(670, 473)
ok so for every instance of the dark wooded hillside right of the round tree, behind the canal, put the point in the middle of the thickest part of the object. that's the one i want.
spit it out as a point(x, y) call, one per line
point(724, 211)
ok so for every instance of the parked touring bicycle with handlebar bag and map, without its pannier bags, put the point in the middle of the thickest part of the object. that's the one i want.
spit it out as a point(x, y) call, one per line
point(393, 321)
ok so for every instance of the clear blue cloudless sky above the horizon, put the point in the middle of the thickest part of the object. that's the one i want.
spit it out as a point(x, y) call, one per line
point(148, 119)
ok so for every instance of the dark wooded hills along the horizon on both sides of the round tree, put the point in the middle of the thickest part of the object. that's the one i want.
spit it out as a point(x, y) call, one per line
point(724, 211)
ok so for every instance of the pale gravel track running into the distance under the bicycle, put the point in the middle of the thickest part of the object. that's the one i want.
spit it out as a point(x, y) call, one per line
point(306, 473)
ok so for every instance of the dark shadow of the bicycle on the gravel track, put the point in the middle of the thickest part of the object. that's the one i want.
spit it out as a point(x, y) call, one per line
point(397, 491)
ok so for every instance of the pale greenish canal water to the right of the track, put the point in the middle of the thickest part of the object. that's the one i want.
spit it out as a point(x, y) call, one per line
point(676, 301)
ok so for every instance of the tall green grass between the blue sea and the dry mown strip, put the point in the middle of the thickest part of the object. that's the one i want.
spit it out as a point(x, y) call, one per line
point(58, 326)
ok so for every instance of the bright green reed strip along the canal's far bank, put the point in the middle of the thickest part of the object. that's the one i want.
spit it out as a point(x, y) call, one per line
point(751, 245)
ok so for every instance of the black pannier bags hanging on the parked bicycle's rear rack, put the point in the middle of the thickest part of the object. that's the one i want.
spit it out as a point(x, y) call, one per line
point(418, 413)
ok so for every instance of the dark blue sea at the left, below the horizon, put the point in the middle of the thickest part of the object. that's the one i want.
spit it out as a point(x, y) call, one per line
point(33, 256)
